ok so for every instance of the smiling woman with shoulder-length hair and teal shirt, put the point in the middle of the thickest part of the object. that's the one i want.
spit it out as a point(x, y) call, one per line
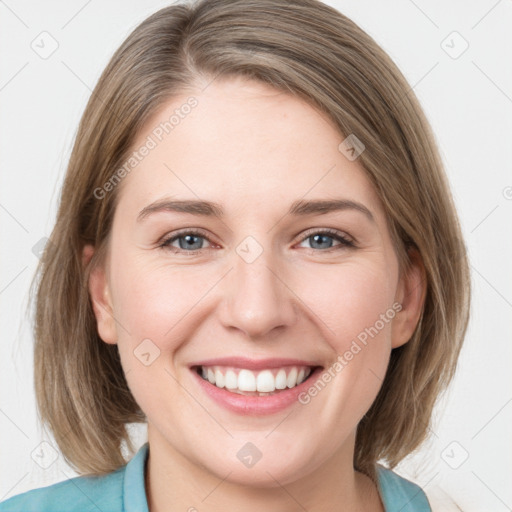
point(256, 252)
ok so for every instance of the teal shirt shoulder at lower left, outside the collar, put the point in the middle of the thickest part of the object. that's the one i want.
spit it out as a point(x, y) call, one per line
point(83, 493)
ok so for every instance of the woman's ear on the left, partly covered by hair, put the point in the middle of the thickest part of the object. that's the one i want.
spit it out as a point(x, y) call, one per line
point(101, 299)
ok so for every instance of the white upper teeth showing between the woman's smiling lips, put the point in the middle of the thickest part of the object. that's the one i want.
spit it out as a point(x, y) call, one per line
point(265, 382)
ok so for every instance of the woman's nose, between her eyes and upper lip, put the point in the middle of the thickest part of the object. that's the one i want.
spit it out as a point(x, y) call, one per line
point(257, 301)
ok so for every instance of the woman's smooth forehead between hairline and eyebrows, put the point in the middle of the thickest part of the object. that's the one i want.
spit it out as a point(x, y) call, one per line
point(246, 145)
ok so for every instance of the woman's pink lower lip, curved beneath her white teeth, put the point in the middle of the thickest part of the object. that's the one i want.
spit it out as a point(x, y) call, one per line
point(255, 405)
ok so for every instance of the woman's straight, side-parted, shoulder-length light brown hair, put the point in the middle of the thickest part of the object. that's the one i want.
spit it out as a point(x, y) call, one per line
point(306, 49)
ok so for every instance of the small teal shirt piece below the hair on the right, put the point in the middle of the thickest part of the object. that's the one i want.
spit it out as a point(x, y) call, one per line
point(400, 494)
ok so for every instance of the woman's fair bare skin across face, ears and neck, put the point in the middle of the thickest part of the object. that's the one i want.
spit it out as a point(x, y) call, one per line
point(253, 150)
